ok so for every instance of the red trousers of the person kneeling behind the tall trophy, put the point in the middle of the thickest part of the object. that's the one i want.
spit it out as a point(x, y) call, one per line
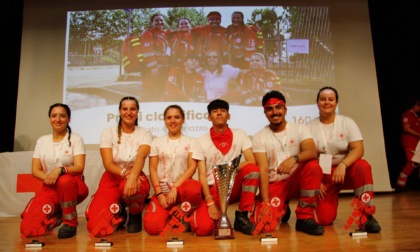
point(244, 190)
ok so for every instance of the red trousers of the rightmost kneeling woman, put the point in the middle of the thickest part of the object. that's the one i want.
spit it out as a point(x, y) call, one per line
point(358, 178)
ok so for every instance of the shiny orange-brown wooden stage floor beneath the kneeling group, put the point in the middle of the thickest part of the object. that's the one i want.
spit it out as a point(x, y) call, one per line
point(398, 214)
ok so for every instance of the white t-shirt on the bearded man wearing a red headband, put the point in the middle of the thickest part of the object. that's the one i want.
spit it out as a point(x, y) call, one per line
point(280, 146)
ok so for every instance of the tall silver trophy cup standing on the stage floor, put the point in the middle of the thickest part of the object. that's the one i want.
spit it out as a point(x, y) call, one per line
point(224, 176)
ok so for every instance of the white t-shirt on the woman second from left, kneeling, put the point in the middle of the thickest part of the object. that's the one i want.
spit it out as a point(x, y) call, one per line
point(125, 153)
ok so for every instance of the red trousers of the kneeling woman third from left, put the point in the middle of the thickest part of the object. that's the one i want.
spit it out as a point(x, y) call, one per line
point(188, 198)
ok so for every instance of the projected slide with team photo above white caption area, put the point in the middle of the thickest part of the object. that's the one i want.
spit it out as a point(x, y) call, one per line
point(191, 56)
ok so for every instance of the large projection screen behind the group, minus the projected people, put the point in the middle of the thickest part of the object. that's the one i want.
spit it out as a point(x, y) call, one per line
point(72, 52)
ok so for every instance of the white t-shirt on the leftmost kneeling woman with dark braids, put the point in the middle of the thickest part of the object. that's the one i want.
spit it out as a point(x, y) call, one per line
point(58, 154)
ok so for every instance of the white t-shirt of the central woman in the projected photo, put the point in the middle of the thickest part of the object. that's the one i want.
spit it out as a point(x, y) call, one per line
point(217, 85)
